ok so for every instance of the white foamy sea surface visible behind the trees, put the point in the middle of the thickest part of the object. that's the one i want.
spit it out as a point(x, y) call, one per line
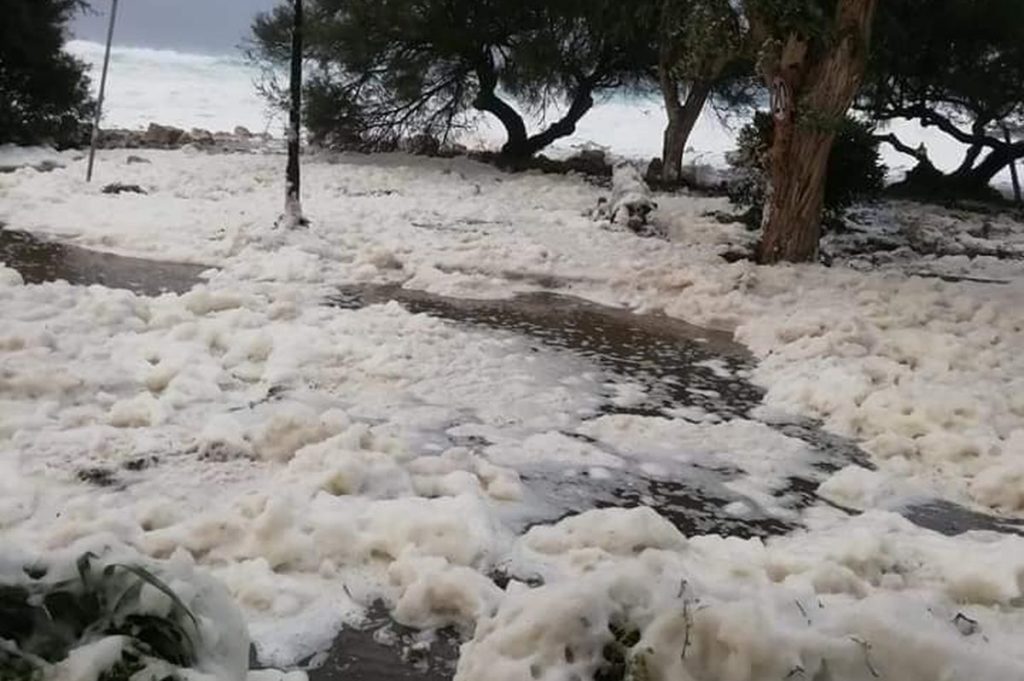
point(219, 94)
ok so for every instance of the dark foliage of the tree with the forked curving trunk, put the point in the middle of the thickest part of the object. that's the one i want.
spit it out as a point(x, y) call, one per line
point(382, 70)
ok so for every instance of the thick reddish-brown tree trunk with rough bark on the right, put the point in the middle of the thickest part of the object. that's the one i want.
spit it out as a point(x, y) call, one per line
point(823, 89)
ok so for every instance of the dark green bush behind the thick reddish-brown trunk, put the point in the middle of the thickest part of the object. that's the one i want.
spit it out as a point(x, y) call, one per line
point(856, 172)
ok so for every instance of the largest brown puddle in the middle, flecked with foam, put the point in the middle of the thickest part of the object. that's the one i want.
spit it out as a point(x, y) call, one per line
point(663, 355)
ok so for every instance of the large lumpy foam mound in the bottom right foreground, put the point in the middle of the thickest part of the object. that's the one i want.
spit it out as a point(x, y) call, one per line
point(877, 600)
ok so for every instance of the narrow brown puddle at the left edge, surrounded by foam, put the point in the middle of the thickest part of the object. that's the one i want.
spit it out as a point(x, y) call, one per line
point(40, 262)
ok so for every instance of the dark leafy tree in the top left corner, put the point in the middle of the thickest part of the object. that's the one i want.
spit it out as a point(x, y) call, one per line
point(45, 94)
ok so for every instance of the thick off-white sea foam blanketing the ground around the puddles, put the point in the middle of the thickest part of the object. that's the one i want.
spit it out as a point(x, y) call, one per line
point(296, 451)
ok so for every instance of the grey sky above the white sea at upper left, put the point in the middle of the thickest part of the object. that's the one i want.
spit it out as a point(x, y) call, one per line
point(215, 27)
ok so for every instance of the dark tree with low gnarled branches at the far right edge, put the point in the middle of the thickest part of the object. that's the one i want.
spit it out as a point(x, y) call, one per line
point(956, 66)
